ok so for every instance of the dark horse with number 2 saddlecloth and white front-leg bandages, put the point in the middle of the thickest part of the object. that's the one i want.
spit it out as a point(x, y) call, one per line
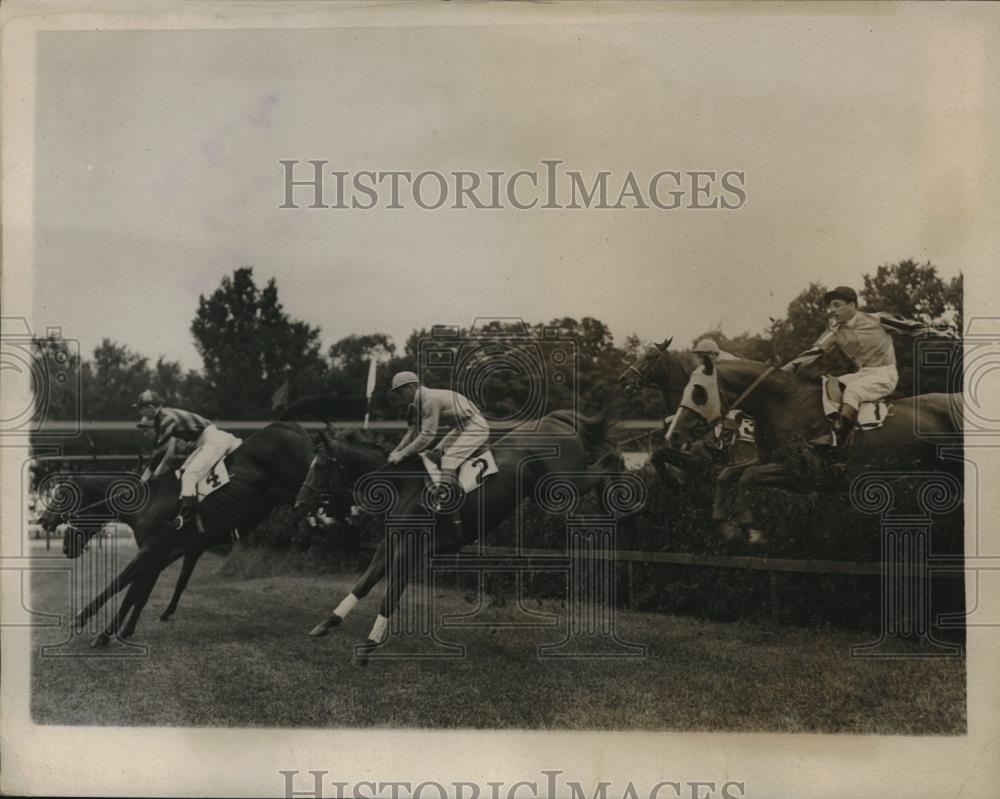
point(564, 443)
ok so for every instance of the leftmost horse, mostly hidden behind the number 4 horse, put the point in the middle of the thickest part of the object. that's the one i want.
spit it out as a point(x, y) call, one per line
point(105, 498)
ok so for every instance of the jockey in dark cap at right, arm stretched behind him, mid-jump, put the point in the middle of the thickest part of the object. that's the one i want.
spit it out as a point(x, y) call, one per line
point(865, 339)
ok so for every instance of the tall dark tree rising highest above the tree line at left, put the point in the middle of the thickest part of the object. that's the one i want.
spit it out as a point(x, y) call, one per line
point(250, 346)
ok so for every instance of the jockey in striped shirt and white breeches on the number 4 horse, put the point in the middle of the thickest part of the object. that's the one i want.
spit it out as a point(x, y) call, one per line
point(172, 424)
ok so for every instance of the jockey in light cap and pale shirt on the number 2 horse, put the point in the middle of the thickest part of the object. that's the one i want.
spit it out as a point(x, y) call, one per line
point(430, 411)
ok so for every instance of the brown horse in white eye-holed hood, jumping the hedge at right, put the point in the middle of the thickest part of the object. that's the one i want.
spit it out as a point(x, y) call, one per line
point(788, 414)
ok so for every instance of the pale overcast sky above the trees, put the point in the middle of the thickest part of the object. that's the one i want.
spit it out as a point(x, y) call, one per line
point(865, 137)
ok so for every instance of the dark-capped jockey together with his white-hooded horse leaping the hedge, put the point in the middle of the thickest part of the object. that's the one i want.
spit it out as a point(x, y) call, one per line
point(795, 449)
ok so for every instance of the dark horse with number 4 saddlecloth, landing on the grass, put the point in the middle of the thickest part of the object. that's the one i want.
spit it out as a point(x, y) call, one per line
point(265, 471)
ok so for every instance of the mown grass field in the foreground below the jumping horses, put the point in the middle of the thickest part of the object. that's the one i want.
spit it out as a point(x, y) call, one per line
point(237, 654)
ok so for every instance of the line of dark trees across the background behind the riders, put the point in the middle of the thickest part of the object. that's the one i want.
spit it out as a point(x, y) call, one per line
point(256, 358)
